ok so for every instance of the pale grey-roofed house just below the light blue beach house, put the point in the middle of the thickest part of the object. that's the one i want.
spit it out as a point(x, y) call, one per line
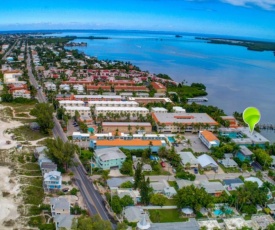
point(59, 205)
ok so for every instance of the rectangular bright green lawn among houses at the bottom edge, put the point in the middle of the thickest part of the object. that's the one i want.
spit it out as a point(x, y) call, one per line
point(167, 215)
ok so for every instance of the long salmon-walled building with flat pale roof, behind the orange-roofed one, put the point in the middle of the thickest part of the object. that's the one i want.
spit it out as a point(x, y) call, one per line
point(127, 127)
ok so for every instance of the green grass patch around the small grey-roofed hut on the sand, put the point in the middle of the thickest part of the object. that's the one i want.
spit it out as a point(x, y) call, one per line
point(24, 132)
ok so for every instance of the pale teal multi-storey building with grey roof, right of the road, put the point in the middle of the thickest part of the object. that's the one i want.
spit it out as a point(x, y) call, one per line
point(109, 158)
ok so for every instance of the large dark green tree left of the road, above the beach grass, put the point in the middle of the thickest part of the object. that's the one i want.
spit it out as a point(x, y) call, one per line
point(44, 116)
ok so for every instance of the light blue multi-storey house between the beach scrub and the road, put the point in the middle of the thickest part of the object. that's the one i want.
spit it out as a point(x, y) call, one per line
point(52, 181)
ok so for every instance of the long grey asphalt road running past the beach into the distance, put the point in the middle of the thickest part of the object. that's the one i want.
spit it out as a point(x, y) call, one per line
point(93, 200)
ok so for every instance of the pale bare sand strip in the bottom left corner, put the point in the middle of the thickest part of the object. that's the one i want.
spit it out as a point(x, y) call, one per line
point(8, 210)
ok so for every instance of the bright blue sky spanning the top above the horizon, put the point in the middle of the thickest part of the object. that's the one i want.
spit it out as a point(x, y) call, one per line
point(252, 18)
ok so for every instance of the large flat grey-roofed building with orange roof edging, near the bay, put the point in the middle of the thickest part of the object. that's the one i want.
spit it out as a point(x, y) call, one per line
point(176, 122)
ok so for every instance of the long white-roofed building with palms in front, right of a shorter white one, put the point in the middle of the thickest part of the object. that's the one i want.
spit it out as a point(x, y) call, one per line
point(134, 112)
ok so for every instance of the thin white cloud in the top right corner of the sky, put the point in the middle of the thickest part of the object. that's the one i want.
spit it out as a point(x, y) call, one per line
point(265, 4)
